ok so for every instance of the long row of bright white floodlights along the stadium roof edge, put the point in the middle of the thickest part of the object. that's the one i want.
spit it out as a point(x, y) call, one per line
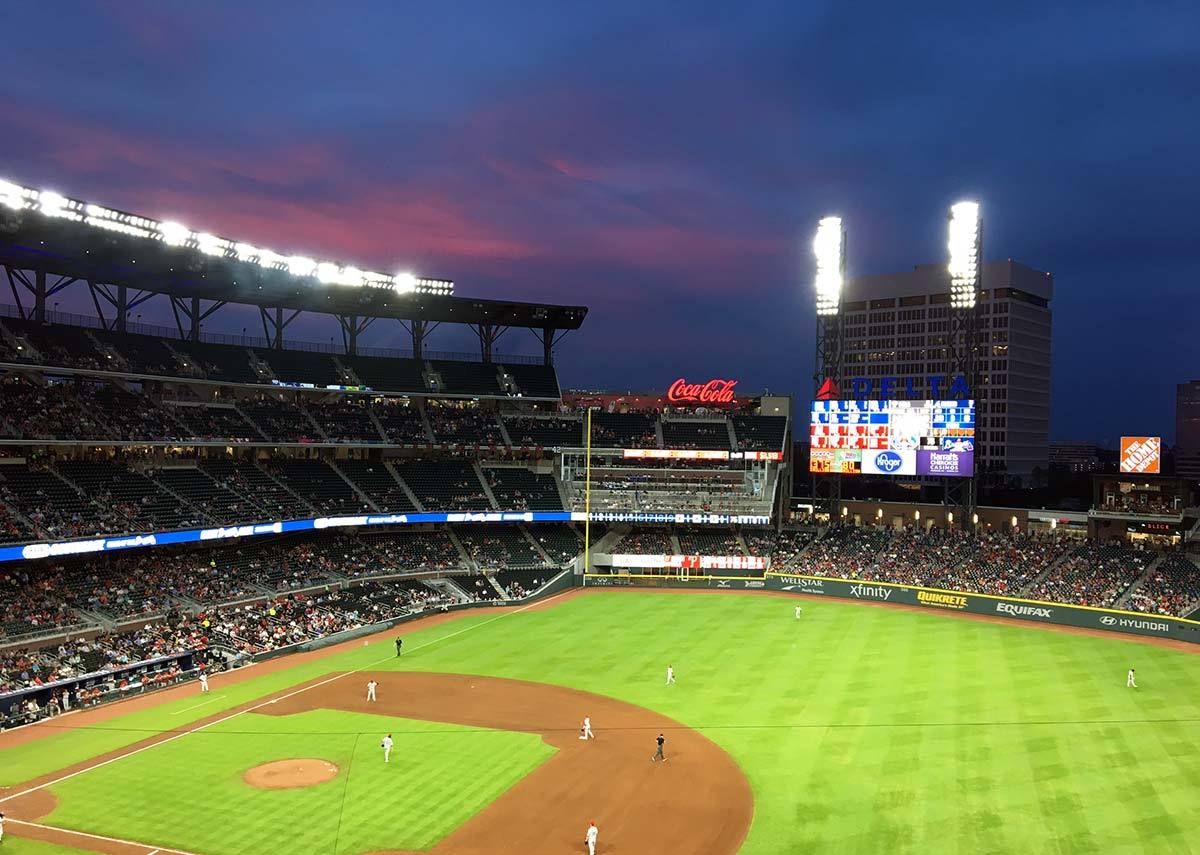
point(175, 235)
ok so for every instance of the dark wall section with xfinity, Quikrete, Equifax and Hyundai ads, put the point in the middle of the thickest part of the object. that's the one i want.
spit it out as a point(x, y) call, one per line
point(1156, 626)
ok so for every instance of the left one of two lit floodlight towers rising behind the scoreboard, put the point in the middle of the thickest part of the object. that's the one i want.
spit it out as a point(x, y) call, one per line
point(830, 252)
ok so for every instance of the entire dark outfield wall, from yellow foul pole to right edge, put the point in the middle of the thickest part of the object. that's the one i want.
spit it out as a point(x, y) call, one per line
point(1012, 608)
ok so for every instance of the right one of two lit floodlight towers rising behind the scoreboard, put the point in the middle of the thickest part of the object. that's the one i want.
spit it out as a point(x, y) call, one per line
point(965, 268)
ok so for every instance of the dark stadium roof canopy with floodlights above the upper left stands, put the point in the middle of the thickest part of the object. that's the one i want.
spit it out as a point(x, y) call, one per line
point(115, 254)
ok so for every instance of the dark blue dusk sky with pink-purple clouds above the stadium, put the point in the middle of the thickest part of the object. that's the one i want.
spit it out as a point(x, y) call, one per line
point(662, 164)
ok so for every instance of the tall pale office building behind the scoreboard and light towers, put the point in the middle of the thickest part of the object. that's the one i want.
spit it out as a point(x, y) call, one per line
point(898, 326)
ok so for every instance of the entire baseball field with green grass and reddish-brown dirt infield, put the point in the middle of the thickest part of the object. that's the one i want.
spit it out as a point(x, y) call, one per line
point(855, 730)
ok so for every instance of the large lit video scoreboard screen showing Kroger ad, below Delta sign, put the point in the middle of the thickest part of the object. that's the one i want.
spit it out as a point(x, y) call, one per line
point(932, 439)
